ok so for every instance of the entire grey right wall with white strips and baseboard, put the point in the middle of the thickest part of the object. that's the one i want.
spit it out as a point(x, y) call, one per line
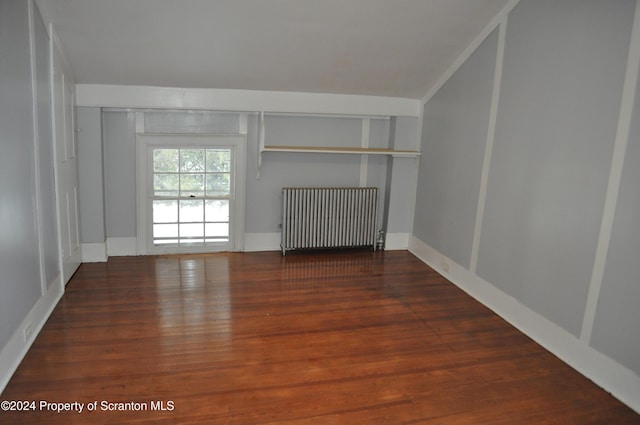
point(539, 233)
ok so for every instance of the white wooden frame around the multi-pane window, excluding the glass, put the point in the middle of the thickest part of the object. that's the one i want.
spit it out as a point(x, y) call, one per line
point(145, 143)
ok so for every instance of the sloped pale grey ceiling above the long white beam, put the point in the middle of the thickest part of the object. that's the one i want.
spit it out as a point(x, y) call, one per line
point(397, 48)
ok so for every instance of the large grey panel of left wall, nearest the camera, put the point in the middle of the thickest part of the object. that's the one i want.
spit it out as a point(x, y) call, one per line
point(19, 257)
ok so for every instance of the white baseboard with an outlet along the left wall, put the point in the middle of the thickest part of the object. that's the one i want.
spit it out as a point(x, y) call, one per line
point(16, 348)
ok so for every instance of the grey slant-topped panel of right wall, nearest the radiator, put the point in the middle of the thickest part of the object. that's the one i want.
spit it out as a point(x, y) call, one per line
point(454, 135)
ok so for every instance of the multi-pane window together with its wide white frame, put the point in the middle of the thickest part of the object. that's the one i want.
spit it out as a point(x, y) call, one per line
point(191, 193)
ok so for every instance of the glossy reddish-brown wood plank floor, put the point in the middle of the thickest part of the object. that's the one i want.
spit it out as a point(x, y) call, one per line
point(325, 338)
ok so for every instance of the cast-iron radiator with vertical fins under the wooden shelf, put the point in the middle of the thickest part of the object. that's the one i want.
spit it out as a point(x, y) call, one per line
point(340, 217)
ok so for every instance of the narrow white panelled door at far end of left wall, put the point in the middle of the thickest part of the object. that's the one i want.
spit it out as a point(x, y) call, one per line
point(66, 170)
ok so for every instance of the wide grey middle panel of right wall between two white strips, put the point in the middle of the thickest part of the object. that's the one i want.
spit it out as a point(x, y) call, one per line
point(562, 80)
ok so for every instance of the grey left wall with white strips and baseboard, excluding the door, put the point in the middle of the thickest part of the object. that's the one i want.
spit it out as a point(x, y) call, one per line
point(30, 283)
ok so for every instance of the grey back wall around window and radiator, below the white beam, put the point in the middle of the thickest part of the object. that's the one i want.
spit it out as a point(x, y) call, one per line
point(109, 144)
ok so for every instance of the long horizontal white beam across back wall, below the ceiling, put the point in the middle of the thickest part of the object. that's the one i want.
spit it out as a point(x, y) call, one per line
point(118, 96)
